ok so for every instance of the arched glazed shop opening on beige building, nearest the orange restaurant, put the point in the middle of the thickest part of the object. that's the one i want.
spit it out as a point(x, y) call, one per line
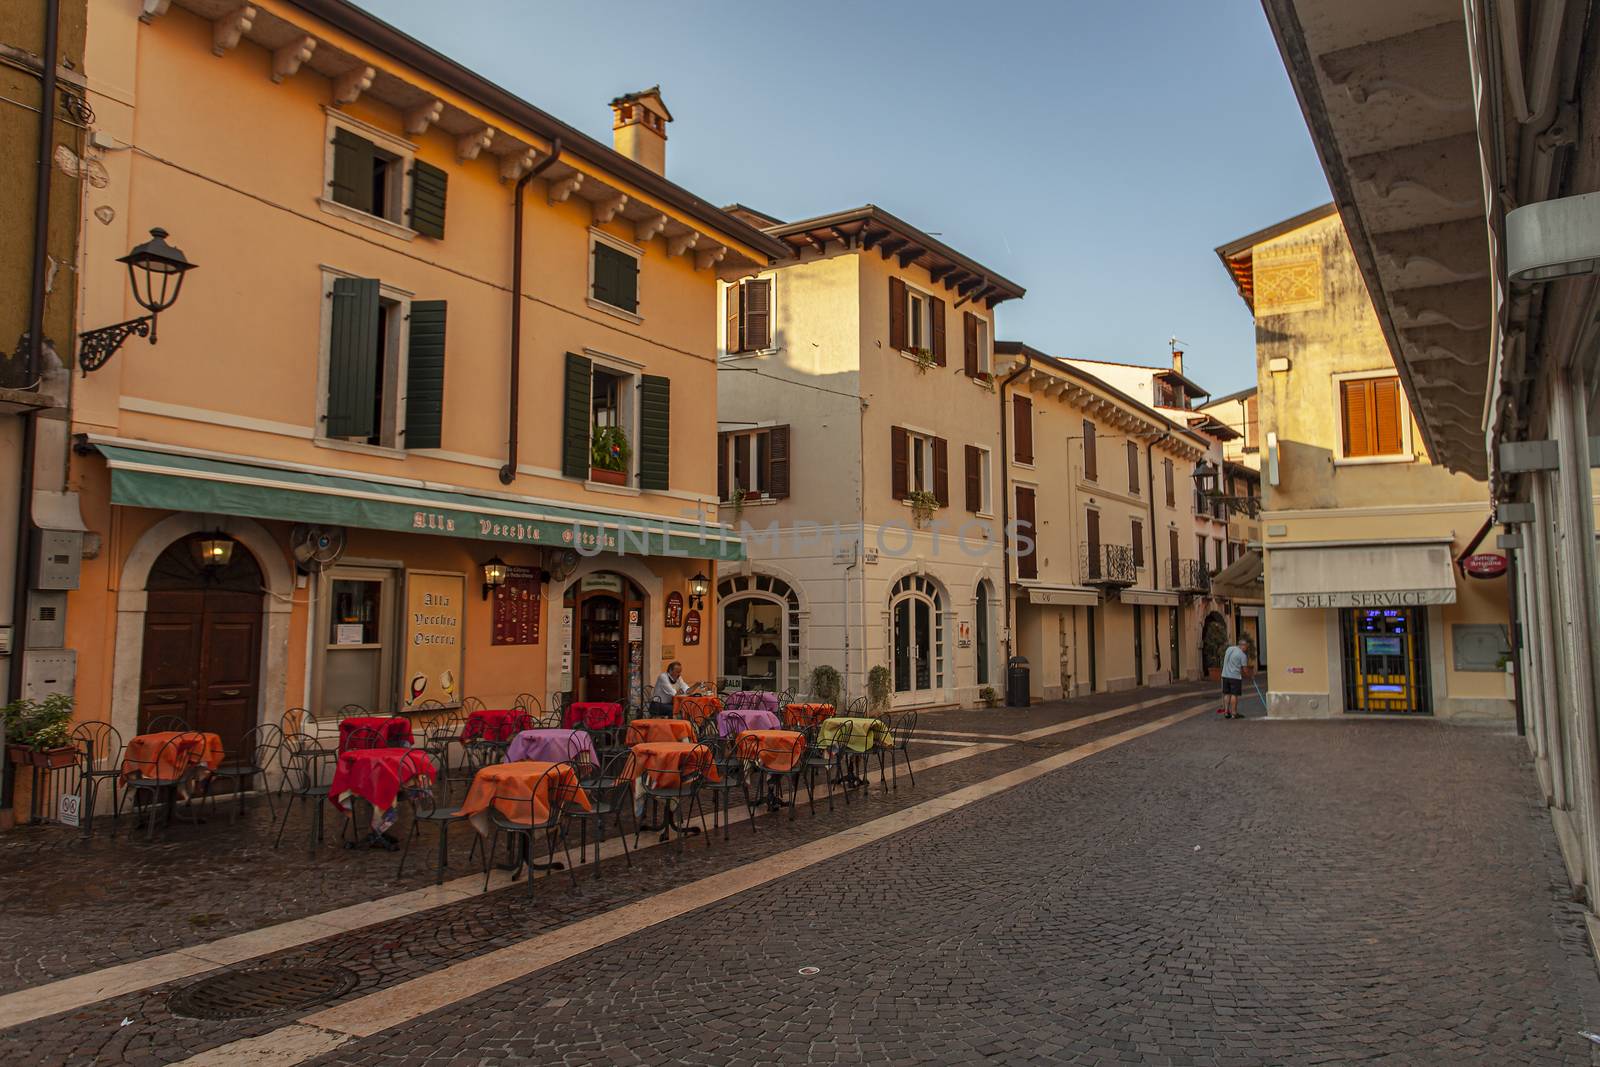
point(761, 633)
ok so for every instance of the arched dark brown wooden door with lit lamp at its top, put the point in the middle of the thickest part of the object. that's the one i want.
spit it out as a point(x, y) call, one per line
point(202, 637)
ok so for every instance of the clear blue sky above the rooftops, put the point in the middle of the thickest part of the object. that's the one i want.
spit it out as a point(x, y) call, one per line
point(1094, 153)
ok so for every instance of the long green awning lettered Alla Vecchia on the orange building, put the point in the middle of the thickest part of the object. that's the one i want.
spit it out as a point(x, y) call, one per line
point(262, 490)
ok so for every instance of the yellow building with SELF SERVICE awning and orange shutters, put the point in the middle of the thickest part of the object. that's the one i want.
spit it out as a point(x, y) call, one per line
point(1370, 602)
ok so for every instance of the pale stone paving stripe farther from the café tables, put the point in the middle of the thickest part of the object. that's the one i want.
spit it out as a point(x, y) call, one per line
point(409, 1001)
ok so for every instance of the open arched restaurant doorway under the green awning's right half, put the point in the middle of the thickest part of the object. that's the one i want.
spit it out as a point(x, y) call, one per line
point(609, 655)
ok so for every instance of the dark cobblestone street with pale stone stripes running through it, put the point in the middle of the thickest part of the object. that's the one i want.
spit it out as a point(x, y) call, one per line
point(1124, 879)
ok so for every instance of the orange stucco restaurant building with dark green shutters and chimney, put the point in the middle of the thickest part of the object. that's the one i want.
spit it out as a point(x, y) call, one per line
point(431, 418)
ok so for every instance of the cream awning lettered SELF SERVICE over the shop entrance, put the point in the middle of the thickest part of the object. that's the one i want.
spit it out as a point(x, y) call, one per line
point(1390, 575)
